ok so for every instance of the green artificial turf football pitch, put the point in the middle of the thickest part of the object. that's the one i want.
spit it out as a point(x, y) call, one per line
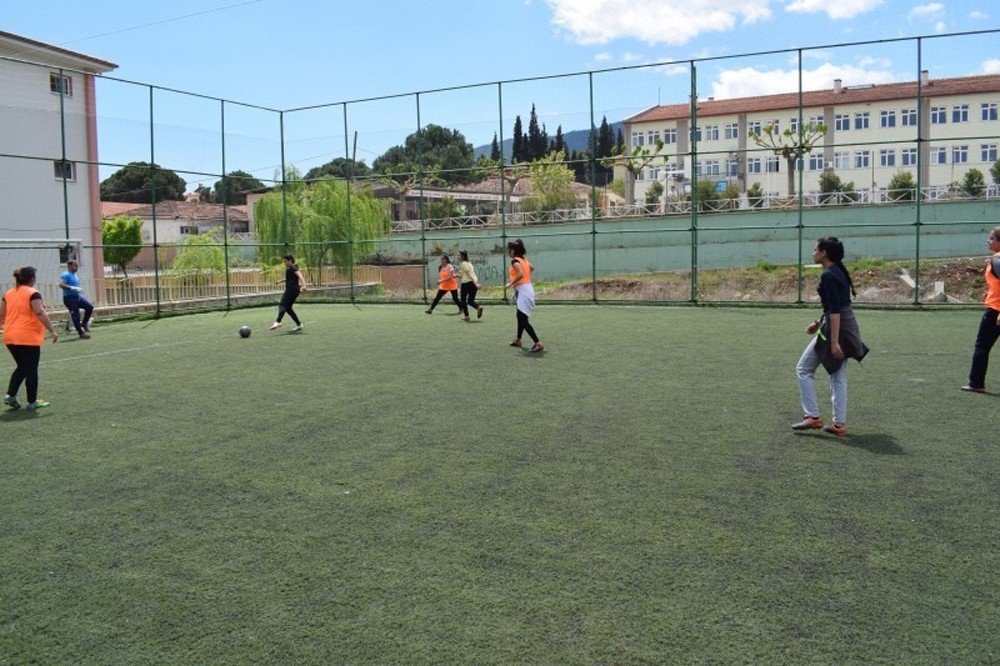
point(393, 487)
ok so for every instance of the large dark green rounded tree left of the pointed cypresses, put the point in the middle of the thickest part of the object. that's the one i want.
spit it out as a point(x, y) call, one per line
point(433, 147)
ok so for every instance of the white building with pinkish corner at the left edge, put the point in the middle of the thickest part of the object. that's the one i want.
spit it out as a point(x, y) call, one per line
point(39, 182)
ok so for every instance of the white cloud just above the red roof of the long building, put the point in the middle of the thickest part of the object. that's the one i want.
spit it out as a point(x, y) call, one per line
point(750, 81)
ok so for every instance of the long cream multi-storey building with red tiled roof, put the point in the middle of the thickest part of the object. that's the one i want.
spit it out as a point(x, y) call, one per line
point(872, 134)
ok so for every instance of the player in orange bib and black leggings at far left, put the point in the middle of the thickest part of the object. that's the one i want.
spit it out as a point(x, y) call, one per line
point(24, 322)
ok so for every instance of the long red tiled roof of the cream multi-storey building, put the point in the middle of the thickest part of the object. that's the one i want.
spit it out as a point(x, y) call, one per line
point(820, 98)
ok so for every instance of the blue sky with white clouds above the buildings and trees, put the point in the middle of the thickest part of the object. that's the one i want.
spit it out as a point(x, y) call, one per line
point(291, 53)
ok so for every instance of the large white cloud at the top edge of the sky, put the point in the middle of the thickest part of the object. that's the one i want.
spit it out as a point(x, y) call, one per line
point(652, 21)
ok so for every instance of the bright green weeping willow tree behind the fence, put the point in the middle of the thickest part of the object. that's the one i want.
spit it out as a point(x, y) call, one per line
point(315, 225)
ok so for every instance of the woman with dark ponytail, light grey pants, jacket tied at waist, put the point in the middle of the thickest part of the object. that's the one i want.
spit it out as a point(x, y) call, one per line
point(837, 339)
